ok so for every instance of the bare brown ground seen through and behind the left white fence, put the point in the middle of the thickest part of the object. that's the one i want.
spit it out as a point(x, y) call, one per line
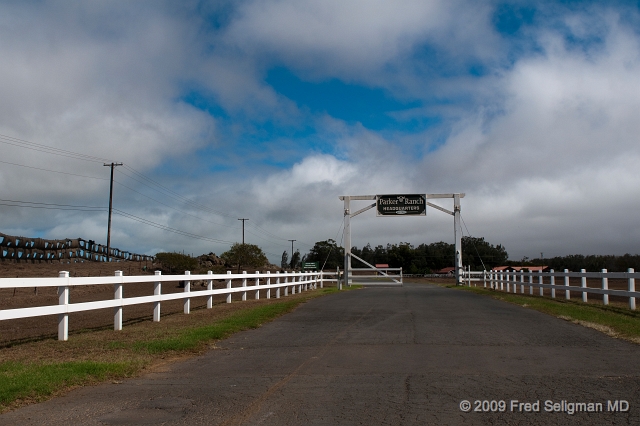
point(25, 330)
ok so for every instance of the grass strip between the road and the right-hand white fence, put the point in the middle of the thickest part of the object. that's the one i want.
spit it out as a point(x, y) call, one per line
point(616, 322)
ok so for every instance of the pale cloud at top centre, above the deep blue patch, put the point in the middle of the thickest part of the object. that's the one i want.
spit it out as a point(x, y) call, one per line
point(357, 38)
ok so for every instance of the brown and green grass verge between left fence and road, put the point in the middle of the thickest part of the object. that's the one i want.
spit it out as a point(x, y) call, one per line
point(38, 370)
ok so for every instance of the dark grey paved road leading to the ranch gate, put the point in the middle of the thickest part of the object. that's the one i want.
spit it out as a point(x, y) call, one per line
point(378, 356)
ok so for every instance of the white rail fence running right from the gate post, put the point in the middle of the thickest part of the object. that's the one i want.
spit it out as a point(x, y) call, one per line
point(506, 281)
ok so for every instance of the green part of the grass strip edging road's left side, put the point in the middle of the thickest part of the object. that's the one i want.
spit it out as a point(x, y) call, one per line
point(23, 382)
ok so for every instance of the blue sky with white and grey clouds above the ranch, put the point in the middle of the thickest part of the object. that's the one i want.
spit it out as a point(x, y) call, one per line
point(270, 110)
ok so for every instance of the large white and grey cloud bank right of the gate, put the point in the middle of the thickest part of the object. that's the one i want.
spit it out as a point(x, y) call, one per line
point(551, 169)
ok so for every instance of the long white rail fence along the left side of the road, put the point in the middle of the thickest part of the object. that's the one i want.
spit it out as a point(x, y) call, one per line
point(280, 282)
